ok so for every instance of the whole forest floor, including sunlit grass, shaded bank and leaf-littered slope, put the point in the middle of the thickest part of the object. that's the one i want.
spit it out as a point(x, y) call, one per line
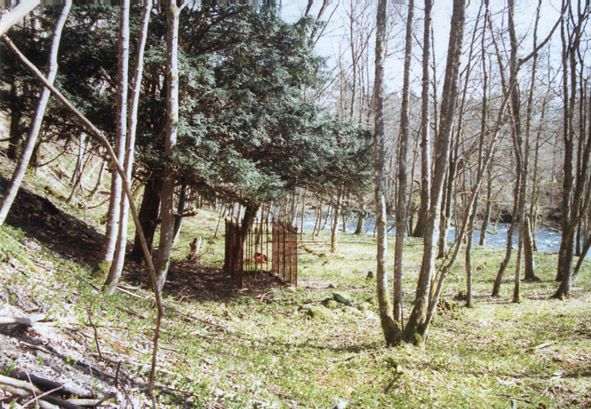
point(270, 345)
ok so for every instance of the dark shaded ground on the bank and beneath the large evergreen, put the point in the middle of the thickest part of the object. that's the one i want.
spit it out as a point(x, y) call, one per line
point(74, 239)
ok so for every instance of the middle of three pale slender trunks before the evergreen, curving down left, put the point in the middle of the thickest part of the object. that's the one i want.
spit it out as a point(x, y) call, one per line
point(117, 266)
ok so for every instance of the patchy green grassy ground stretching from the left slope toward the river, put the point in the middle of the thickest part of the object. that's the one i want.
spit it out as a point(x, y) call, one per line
point(286, 347)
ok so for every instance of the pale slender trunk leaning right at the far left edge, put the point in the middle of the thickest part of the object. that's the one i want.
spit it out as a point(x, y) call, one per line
point(23, 163)
